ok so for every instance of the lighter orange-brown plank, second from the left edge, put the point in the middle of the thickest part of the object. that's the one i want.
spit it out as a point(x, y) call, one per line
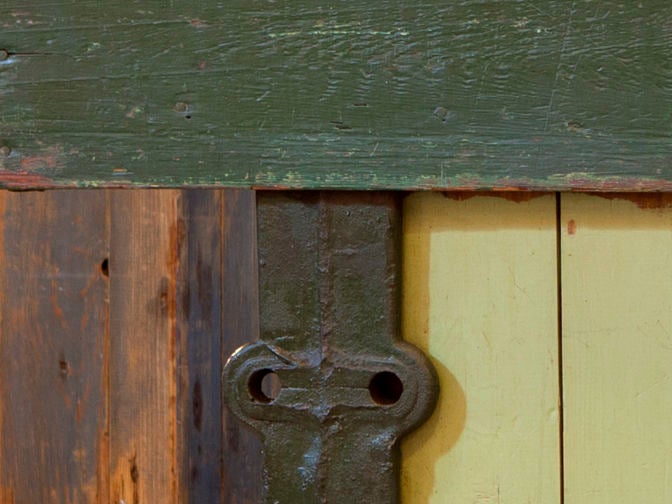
point(144, 259)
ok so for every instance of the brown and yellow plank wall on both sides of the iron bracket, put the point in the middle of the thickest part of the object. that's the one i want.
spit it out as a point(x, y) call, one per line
point(547, 317)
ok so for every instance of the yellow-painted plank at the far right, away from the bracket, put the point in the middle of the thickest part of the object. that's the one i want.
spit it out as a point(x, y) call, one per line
point(617, 345)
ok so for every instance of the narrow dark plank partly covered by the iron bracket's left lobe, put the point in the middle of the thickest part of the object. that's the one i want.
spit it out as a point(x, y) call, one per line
point(243, 462)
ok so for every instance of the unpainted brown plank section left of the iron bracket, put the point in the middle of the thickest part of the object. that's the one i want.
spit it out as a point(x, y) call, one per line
point(116, 312)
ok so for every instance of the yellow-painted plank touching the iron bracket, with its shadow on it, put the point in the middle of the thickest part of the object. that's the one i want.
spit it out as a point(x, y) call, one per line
point(480, 296)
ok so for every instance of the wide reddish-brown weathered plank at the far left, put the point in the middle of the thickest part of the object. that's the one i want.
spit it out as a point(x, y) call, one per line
point(54, 348)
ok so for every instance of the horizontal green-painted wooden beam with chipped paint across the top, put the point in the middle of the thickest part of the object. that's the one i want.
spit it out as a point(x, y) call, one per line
point(476, 94)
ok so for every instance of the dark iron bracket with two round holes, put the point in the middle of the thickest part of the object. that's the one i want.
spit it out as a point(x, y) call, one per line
point(347, 386)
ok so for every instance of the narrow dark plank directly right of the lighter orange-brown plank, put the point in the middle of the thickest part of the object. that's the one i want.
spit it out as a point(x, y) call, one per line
point(199, 336)
